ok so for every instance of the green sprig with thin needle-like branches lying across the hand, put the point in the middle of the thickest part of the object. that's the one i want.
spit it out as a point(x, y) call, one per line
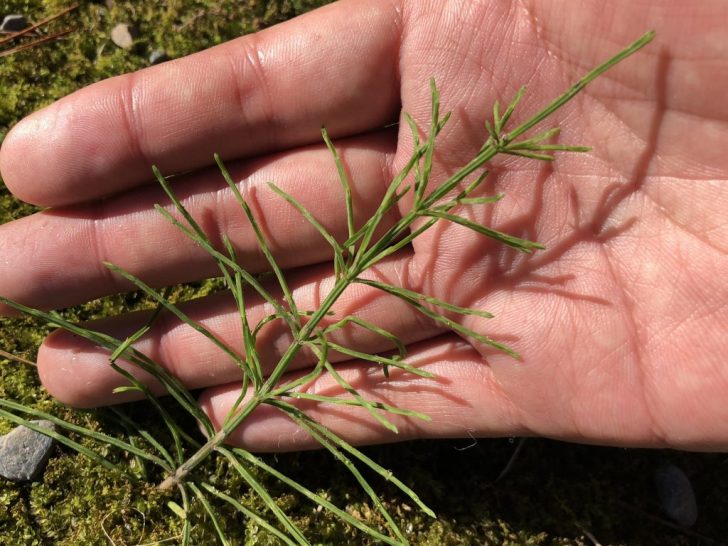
point(177, 456)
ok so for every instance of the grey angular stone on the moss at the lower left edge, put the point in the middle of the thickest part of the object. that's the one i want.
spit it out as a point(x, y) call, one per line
point(25, 452)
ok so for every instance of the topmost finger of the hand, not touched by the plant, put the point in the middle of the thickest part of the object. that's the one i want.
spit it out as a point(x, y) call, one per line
point(336, 66)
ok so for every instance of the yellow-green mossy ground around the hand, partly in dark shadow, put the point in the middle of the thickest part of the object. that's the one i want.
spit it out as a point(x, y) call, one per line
point(554, 494)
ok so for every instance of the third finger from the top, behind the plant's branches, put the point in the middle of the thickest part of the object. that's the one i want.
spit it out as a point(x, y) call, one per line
point(77, 372)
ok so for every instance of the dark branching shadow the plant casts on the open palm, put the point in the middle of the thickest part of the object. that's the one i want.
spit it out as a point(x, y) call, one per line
point(498, 267)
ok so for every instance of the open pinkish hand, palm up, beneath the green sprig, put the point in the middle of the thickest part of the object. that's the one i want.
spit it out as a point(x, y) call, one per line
point(620, 322)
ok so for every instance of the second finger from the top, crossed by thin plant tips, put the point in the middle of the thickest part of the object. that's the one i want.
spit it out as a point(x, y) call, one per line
point(58, 254)
